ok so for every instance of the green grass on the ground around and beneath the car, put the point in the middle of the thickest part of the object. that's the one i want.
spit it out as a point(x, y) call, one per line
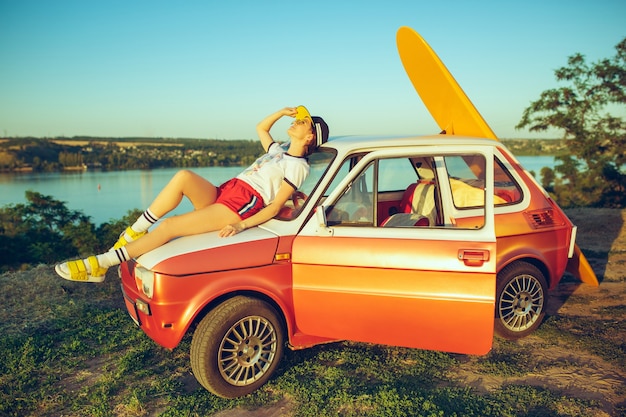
point(70, 349)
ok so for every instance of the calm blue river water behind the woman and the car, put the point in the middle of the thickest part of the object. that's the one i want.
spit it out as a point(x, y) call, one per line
point(110, 195)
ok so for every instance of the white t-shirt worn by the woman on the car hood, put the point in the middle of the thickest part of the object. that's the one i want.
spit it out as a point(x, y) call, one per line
point(266, 175)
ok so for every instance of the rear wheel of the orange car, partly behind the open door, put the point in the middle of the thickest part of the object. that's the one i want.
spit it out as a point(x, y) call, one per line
point(521, 300)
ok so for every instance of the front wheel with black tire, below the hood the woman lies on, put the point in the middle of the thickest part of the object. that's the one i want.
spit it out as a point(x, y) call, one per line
point(237, 346)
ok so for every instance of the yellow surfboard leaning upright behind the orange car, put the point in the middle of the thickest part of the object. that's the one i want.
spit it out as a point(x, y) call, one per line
point(453, 111)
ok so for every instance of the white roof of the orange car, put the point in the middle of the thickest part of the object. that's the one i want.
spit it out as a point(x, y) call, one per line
point(350, 144)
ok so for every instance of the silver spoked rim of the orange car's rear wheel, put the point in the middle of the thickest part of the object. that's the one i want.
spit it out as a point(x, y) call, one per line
point(521, 303)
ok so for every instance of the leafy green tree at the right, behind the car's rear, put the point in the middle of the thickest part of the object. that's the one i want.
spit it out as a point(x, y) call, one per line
point(595, 138)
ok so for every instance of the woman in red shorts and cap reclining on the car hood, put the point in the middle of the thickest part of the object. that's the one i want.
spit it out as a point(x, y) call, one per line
point(250, 199)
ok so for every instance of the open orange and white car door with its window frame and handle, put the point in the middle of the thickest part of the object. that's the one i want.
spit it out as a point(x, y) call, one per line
point(423, 287)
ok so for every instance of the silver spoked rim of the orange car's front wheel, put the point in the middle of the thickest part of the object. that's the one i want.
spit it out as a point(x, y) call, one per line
point(247, 350)
